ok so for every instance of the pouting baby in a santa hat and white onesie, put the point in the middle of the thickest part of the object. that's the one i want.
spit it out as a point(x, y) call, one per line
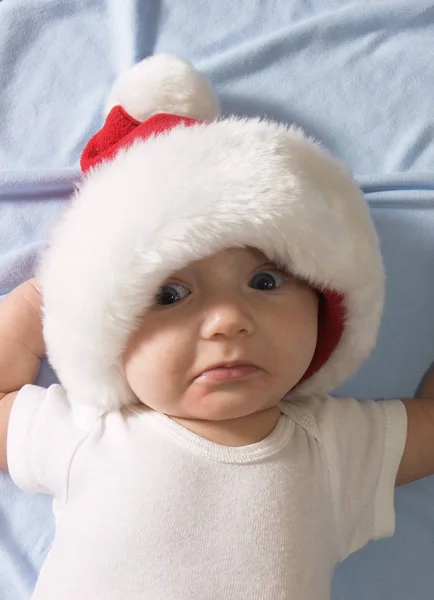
point(209, 285)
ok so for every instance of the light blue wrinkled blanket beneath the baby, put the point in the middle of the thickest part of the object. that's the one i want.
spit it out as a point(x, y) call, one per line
point(357, 75)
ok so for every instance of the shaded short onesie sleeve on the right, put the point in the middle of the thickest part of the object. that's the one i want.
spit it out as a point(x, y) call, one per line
point(363, 443)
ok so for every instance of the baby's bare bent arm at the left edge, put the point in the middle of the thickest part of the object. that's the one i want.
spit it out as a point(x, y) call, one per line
point(21, 350)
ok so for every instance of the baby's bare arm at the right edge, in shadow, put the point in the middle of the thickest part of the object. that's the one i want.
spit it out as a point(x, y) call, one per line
point(418, 457)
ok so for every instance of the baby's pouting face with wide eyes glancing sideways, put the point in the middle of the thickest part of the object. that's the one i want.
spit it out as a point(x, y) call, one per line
point(233, 306)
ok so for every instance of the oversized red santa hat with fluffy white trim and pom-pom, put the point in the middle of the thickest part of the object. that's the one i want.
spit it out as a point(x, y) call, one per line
point(166, 183)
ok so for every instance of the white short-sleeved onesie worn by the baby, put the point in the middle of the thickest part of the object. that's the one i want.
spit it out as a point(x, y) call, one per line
point(149, 510)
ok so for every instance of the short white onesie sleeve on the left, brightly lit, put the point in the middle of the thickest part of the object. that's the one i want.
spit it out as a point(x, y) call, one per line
point(42, 439)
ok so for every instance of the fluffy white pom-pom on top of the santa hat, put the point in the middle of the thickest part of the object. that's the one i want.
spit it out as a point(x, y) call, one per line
point(164, 84)
